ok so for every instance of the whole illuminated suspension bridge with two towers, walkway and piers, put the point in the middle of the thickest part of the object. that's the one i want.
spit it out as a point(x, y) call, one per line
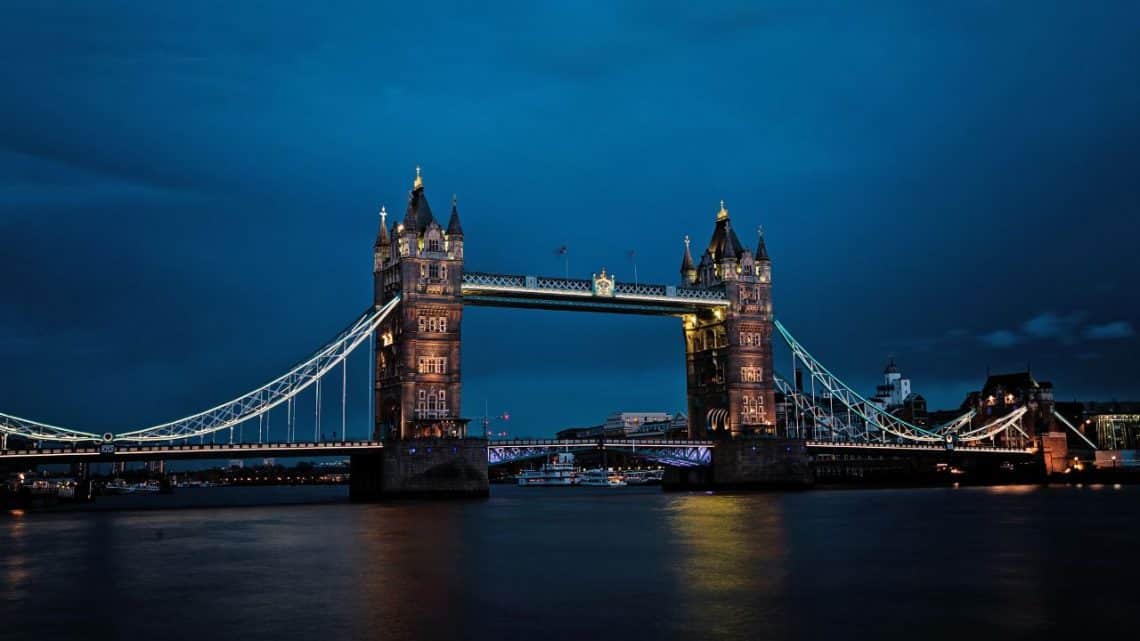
point(746, 423)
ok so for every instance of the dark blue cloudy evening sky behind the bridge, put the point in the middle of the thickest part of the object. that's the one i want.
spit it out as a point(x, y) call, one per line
point(189, 191)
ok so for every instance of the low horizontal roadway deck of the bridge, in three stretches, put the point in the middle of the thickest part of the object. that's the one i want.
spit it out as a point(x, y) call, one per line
point(121, 452)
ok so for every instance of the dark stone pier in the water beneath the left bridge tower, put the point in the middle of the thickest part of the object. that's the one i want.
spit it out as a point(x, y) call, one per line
point(429, 468)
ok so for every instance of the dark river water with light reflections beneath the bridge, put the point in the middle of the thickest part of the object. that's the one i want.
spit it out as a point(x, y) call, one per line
point(1003, 563)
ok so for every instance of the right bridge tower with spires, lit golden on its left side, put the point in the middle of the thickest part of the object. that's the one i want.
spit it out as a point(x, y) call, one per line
point(729, 353)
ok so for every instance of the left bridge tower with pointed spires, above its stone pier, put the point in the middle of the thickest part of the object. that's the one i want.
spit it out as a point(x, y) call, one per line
point(418, 351)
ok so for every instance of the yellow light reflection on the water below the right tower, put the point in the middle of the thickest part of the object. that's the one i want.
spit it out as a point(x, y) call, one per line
point(722, 540)
